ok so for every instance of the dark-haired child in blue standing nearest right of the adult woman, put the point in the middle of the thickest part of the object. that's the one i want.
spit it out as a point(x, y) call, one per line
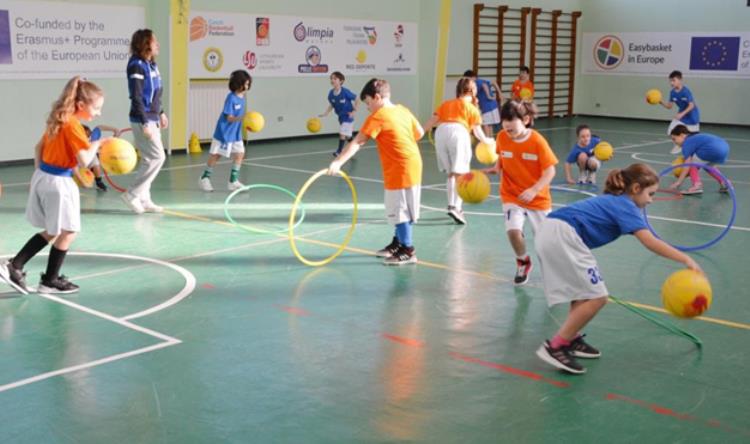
point(227, 140)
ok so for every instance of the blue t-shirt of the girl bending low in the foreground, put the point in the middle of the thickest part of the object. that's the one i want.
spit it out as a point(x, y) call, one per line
point(600, 220)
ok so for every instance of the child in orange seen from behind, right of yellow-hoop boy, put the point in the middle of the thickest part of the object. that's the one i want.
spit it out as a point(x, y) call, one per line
point(455, 118)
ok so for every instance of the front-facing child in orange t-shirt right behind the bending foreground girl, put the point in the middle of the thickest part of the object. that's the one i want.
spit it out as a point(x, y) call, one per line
point(528, 165)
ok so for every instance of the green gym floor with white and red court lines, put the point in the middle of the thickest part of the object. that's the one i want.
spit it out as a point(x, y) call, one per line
point(188, 329)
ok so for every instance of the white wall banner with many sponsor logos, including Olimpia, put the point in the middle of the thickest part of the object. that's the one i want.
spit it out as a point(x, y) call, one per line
point(289, 46)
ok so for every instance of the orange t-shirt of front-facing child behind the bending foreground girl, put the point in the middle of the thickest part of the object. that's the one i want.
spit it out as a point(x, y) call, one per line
point(522, 165)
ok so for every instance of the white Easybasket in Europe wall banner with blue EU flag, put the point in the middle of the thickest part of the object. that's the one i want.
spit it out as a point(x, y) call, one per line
point(717, 55)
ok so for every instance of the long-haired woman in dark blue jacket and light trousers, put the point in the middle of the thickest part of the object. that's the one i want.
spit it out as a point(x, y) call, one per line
point(146, 119)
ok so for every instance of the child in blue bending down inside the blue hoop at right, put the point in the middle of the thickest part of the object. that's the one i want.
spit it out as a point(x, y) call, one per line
point(699, 148)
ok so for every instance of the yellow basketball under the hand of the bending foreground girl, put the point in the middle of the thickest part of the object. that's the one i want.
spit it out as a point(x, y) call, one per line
point(686, 293)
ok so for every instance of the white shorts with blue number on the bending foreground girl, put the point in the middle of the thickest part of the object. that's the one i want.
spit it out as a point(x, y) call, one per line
point(569, 269)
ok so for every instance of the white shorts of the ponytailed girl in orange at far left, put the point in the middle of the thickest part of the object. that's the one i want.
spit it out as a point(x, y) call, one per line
point(54, 203)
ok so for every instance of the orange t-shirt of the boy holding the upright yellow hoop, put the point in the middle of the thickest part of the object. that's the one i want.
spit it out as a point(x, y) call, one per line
point(396, 130)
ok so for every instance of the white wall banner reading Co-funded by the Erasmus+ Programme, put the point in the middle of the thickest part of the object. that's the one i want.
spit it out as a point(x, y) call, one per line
point(59, 40)
